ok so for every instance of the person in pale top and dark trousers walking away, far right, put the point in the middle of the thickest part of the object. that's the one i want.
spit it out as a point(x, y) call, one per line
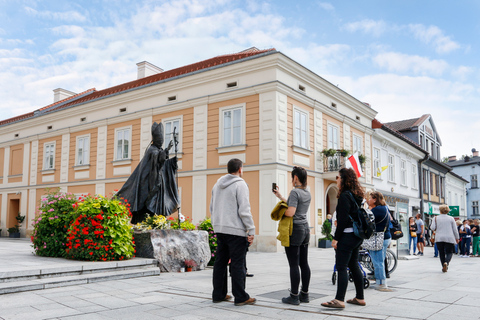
point(446, 235)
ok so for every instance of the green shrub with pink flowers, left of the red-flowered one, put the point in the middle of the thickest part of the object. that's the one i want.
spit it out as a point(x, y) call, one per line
point(50, 227)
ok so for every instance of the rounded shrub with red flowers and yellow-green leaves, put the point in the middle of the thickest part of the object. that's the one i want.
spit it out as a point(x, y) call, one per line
point(101, 230)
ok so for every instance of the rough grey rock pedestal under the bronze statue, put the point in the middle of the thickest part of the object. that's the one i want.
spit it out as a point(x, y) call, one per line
point(172, 247)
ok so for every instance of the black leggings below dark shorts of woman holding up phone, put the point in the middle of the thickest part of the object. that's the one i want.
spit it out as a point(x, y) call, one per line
point(298, 260)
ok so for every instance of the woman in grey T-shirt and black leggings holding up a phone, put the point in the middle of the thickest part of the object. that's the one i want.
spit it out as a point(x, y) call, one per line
point(297, 251)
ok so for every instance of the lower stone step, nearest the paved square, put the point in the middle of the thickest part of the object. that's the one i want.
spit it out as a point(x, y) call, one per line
point(64, 281)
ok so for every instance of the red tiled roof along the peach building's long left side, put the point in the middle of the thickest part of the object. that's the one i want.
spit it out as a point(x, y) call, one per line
point(93, 94)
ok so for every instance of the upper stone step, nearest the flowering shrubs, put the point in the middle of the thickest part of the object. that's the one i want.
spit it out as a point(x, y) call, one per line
point(75, 268)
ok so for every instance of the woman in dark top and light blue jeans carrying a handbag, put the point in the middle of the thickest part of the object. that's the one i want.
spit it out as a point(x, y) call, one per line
point(378, 243)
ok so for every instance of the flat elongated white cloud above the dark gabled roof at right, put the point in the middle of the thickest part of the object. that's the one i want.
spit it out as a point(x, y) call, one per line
point(403, 63)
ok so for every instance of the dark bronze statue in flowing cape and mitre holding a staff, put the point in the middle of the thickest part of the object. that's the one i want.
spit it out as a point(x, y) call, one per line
point(152, 187)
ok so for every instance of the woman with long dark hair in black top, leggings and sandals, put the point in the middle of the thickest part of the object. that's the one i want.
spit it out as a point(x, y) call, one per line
point(346, 243)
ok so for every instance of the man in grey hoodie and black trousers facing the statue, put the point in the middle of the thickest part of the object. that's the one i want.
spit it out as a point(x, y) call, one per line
point(233, 224)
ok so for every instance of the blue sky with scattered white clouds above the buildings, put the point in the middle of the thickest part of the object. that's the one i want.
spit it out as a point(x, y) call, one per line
point(405, 58)
